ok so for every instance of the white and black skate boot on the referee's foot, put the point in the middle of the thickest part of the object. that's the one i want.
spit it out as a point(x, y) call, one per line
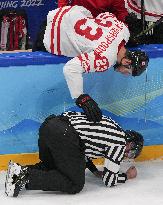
point(16, 178)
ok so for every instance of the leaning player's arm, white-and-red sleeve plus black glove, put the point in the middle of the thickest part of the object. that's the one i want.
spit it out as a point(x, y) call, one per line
point(73, 71)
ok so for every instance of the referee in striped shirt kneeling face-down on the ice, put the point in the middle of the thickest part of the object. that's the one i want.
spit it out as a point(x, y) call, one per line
point(67, 144)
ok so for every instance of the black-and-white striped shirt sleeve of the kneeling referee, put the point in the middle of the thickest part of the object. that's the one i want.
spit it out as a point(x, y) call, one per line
point(111, 174)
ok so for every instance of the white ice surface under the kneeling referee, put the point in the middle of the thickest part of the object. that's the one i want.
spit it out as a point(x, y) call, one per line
point(147, 188)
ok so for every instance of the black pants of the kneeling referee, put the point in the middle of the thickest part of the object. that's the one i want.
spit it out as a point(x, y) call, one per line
point(62, 166)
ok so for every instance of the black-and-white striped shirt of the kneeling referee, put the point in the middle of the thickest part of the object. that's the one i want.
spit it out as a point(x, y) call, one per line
point(103, 139)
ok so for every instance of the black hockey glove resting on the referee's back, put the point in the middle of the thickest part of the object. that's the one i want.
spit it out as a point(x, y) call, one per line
point(90, 107)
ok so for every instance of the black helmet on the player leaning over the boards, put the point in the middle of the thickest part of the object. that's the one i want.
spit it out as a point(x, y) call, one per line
point(139, 61)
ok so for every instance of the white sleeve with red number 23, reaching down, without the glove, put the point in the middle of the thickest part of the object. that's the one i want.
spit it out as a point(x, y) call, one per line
point(84, 63)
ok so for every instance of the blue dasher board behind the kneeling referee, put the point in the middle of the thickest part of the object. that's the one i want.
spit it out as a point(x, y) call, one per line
point(33, 87)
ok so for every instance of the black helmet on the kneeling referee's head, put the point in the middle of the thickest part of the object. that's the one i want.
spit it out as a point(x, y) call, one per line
point(137, 141)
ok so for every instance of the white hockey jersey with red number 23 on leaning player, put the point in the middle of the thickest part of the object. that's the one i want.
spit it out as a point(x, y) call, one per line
point(93, 42)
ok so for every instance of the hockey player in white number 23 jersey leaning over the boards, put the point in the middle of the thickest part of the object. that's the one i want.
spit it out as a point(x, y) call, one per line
point(95, 44)
